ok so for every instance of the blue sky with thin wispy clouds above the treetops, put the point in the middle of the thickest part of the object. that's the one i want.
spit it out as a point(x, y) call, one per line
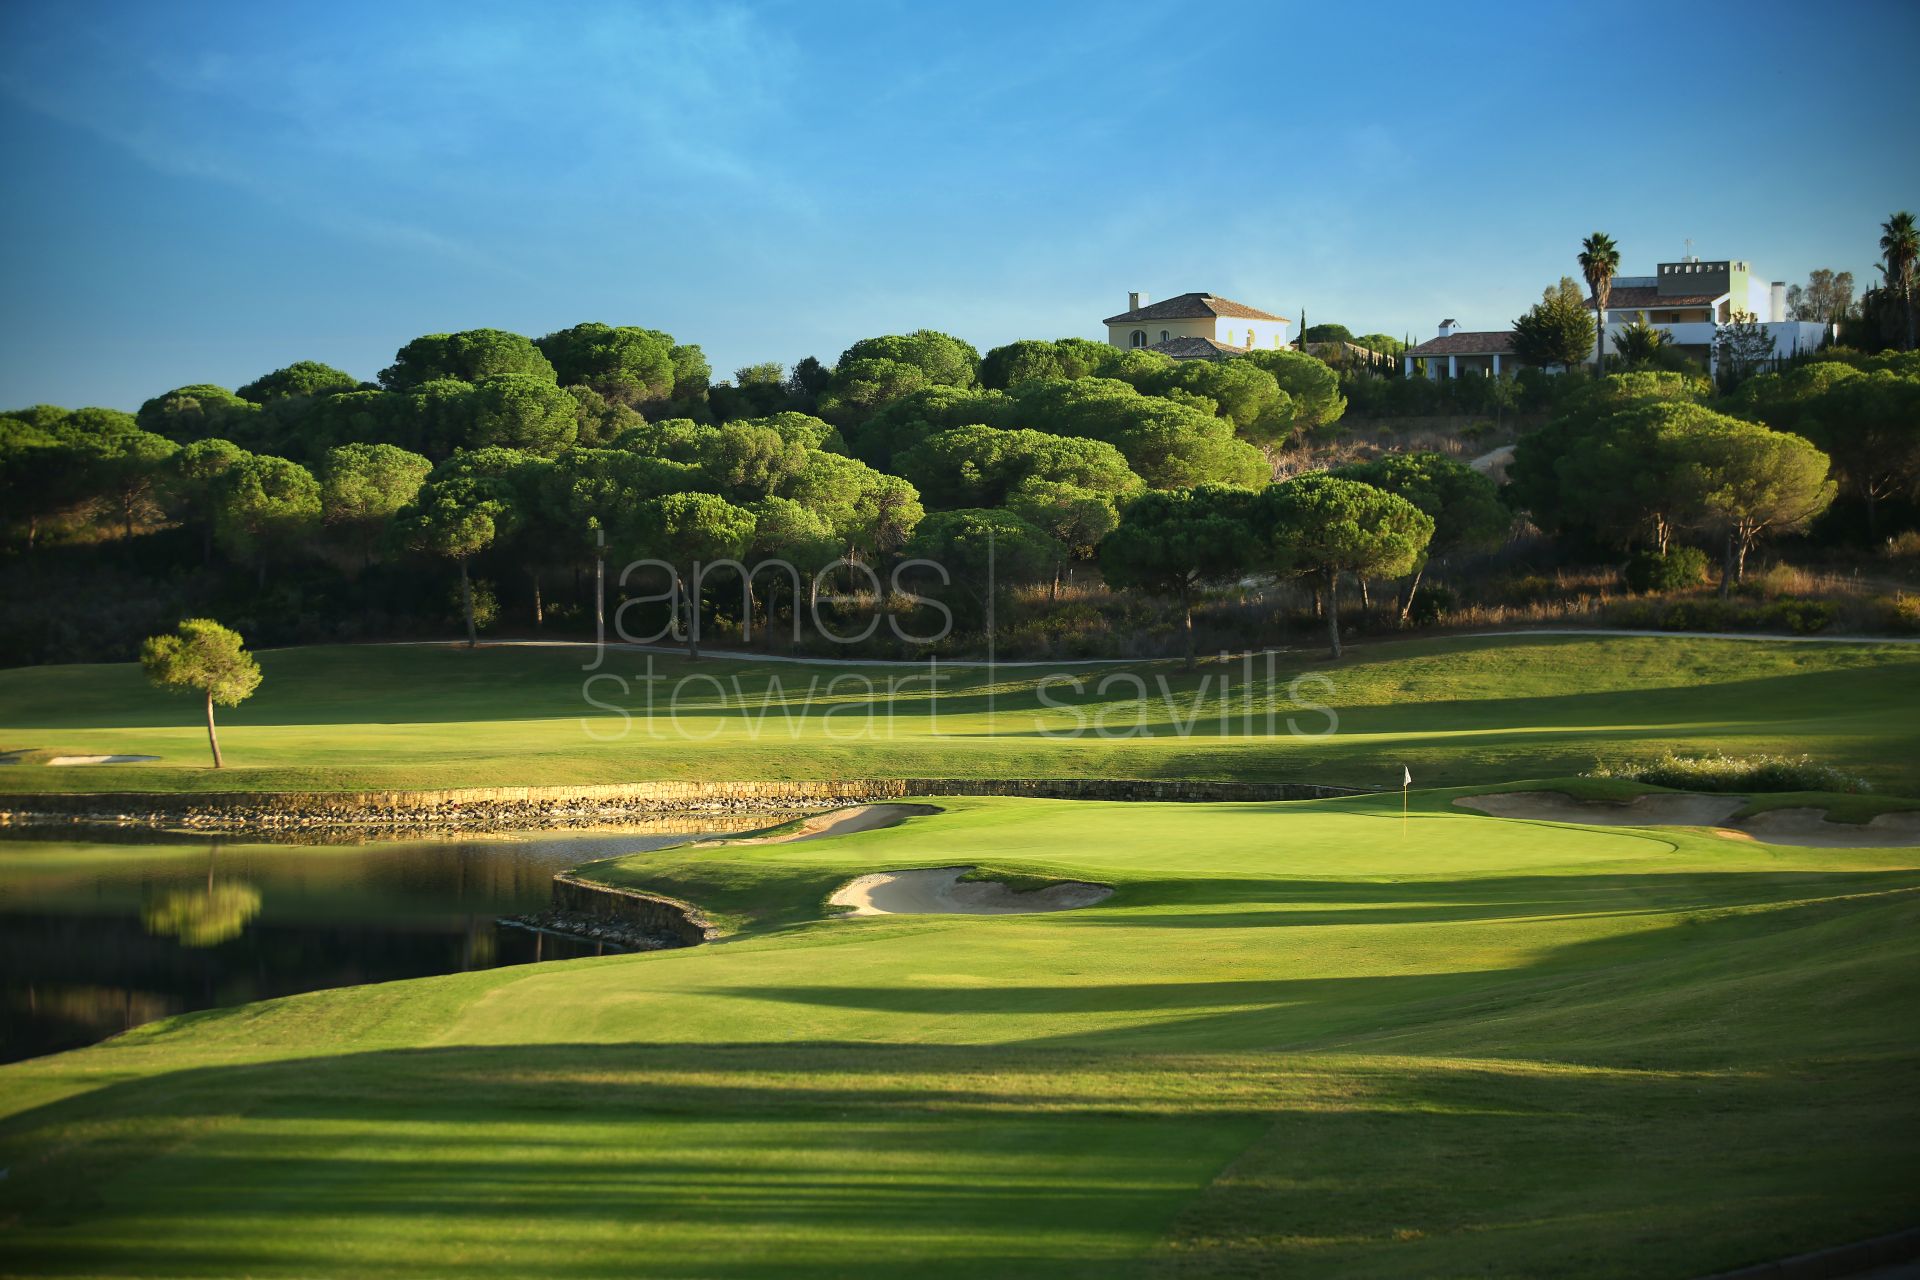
point(208, 193)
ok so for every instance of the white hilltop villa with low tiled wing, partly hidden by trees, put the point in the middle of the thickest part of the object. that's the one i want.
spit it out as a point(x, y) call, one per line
point(1691, 300)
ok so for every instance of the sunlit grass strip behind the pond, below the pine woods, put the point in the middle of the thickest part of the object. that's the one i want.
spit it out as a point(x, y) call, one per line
point(1456, 711)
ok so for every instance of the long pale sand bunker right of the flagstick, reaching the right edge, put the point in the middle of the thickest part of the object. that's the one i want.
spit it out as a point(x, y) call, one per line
point(1800, 826)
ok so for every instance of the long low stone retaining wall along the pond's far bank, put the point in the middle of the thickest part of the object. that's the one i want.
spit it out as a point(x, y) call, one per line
point(548, 807)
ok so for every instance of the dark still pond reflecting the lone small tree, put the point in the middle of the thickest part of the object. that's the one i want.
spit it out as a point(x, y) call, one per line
point(108, 928)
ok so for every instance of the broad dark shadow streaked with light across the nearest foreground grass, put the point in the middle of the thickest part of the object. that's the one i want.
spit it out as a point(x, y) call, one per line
point(859, 1160)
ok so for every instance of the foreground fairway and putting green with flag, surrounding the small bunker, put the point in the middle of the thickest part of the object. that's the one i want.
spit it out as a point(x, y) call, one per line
point(1297, 1039)
